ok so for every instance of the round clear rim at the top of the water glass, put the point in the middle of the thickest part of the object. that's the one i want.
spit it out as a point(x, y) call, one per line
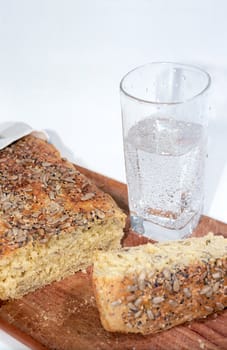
point(183, 65)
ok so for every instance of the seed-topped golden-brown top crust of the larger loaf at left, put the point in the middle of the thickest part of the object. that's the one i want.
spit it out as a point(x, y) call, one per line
point(42, 194)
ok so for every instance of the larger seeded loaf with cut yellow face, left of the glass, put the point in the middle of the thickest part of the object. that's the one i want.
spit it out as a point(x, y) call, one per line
point(52, 218)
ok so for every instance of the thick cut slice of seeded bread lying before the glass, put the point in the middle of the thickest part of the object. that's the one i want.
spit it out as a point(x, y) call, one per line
point(153, 287)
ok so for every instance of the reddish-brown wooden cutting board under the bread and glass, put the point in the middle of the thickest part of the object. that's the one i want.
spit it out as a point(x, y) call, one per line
point(63, 315)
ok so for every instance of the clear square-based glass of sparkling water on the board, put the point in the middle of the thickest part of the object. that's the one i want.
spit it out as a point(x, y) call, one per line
point(164, 117)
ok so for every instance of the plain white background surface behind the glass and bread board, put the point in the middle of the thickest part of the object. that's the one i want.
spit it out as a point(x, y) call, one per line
point(61, 63)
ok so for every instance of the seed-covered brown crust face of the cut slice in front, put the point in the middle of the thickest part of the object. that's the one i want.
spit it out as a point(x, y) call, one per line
point(147, 301)
